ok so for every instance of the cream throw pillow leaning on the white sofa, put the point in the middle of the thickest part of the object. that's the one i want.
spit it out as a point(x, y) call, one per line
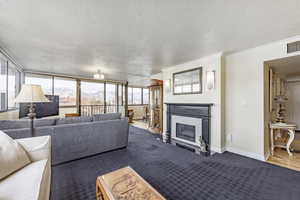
point(12, 155)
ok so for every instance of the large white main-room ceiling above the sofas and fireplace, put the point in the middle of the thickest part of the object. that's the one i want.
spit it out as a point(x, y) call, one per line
point(132, 39)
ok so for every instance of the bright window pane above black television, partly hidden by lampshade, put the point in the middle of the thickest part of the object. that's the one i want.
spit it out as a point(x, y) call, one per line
point(44, 81)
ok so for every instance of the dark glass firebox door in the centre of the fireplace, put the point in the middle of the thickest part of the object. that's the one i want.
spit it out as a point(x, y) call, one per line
point(186, 132)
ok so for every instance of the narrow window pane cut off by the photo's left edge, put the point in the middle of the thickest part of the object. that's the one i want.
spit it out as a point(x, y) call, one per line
point(3, 81)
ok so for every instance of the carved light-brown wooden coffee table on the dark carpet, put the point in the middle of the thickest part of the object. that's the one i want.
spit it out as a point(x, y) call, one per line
point(125, 184)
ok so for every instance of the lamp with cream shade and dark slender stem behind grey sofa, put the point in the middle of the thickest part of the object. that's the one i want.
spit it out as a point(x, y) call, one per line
point(31, 94)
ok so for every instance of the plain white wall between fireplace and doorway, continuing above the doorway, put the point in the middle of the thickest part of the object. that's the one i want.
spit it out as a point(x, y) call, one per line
point(244, 112)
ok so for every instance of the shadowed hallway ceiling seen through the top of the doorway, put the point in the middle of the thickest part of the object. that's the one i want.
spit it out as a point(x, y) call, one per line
point(286, 67)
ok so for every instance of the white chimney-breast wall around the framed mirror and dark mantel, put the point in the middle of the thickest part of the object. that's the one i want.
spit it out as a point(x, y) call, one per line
point(213, 62)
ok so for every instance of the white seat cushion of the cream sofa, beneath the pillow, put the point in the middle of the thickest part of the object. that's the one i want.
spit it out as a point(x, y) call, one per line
point(27, 183)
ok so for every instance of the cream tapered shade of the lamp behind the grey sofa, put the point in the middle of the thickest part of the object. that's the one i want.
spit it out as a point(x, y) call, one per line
point(31, 94)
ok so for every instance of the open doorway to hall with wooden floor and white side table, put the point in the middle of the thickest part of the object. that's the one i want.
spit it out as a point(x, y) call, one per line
point(282, 111)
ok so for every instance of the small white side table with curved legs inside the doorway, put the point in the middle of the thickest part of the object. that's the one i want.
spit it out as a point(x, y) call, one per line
point(282, 126)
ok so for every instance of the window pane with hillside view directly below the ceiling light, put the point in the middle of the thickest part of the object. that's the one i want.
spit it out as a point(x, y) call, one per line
point(92, 93)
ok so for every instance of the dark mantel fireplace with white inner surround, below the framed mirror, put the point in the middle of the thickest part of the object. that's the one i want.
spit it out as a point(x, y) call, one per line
point(188, 123)
